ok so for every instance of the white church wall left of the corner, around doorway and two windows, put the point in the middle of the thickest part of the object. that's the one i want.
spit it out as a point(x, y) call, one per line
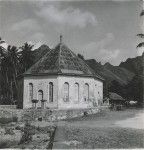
point(40, 83)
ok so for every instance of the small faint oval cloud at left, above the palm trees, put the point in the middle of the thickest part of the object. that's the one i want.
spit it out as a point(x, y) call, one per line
point(26, 25)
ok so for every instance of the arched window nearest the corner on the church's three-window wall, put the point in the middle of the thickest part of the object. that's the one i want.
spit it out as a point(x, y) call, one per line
point(66, 92)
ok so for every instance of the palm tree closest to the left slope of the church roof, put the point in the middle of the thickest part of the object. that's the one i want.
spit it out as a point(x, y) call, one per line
point(26, 56)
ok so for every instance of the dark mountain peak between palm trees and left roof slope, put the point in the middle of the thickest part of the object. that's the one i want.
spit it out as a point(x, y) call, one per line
point(40, 52)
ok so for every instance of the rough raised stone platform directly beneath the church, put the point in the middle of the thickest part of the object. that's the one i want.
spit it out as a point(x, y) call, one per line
point(54, 115)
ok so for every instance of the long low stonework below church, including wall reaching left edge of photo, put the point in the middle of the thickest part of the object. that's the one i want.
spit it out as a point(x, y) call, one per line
point(45, 114)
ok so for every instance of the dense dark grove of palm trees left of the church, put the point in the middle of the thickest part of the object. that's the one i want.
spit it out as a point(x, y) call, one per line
point(13, 61)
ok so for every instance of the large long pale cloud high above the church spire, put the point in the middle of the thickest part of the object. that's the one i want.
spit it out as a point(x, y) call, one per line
point(69, 16)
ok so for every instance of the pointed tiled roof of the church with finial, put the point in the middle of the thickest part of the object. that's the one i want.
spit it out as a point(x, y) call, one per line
point(61, 60)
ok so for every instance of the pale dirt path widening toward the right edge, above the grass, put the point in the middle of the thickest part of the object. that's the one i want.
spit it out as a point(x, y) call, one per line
point(111, 119)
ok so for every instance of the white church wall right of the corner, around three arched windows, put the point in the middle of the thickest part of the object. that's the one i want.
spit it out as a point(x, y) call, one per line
point(93, 93)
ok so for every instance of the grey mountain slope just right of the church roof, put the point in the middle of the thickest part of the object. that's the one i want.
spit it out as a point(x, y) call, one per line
point(110, 72)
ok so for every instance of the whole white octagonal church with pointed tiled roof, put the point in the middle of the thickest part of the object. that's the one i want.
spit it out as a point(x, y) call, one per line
point(61, 80)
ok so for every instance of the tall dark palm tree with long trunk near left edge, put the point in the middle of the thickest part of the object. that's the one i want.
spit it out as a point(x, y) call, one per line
point(10, 69)
